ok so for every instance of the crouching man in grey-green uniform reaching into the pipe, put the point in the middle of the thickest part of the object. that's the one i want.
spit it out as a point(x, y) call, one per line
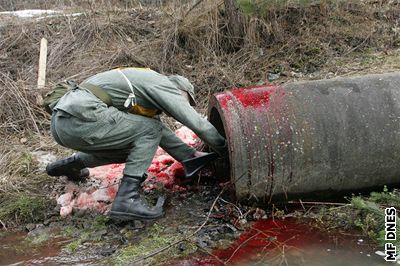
point(113, 117)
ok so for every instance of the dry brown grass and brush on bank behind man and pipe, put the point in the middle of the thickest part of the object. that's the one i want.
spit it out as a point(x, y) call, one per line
point(291, 39)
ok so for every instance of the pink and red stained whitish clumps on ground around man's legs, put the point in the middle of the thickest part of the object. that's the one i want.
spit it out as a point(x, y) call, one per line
point(104, 180)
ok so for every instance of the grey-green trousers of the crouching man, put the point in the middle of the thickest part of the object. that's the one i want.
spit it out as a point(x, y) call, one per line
point(105, 135)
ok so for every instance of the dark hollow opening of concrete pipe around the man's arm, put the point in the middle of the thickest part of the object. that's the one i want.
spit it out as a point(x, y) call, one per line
point(222, 167)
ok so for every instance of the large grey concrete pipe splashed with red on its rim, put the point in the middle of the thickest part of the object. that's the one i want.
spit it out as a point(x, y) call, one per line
point(310, 138)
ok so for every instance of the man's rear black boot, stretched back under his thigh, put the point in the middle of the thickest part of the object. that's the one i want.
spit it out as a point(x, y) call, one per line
point(72, 167)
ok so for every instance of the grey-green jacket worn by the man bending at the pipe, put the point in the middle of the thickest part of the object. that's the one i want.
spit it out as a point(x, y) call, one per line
point(154, 90)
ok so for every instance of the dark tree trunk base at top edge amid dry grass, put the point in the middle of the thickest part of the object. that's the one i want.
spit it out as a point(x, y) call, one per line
point(235, 22)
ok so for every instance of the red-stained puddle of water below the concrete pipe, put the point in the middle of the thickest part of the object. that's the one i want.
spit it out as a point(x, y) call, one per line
point(289, 242)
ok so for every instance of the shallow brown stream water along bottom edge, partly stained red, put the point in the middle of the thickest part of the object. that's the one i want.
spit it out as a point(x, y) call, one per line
point(266, 242)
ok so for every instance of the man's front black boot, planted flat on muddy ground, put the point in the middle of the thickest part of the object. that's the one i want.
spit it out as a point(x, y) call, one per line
point(128, 204)
